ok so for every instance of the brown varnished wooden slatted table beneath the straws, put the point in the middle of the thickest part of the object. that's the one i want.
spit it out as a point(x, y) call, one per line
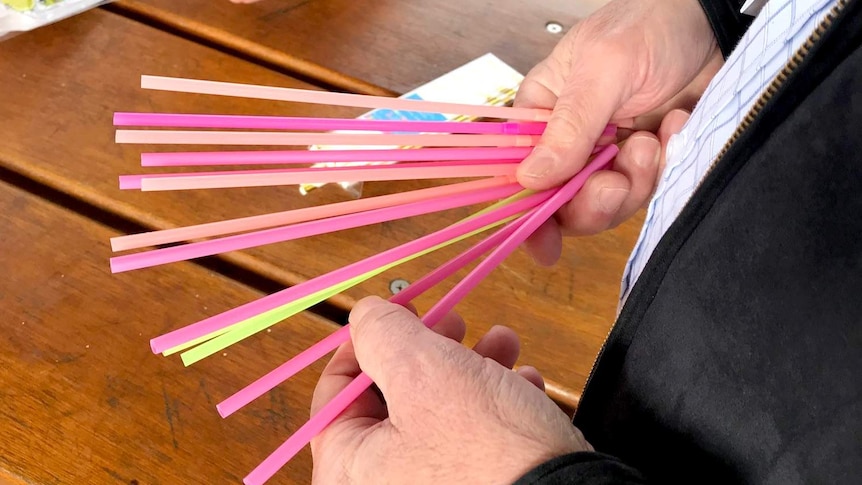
point(65, 82)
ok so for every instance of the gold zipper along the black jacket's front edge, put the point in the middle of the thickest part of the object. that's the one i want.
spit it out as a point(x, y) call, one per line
point(752, 114)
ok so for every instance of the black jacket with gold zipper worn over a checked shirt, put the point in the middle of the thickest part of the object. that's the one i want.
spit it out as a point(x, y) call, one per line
point(737, 357)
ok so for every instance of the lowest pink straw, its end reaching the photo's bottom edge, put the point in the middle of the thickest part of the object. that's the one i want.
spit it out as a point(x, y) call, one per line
point(352, 391)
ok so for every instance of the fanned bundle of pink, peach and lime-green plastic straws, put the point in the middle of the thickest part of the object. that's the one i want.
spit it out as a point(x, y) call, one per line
point(486, 150)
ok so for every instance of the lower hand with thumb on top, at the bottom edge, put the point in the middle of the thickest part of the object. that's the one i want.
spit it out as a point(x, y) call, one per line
point(447, 414)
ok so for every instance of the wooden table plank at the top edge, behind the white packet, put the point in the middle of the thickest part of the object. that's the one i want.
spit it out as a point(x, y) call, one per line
point(395, 44)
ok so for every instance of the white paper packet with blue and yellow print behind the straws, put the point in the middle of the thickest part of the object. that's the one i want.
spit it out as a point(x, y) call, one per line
point(486, 80)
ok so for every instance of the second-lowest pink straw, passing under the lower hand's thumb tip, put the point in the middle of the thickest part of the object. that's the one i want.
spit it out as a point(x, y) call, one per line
point(329, 343)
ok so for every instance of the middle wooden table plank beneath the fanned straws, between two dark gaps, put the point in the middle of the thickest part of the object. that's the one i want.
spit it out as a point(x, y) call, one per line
point(58, 133)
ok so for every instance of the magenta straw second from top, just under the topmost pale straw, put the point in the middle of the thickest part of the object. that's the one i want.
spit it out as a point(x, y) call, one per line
point(178, 120)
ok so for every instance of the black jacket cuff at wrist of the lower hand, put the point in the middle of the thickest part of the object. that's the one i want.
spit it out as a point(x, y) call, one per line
point(582, 468)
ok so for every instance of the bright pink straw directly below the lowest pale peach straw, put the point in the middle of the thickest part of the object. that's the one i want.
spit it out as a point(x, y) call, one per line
point(306, 229)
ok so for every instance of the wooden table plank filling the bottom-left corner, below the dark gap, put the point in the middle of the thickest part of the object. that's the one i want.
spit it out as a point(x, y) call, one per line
point(84, 399)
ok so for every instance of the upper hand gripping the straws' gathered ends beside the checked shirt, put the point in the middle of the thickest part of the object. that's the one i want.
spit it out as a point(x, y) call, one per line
point(629, 63)
